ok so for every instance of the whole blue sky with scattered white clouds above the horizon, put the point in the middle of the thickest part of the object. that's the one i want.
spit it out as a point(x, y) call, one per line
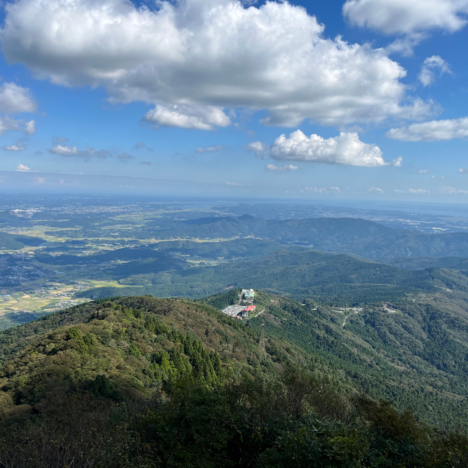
point(350, 99)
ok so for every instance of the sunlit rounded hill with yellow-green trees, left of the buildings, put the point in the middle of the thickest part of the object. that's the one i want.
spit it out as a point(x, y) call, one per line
point(138, 343)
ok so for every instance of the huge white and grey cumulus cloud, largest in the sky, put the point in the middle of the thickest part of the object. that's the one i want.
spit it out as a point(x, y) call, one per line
point(195, 59)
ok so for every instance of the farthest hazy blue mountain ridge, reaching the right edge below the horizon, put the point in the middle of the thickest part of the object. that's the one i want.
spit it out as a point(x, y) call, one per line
point(347, 235)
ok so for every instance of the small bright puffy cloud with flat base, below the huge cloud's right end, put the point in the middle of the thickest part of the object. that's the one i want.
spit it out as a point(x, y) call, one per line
point(345, 149)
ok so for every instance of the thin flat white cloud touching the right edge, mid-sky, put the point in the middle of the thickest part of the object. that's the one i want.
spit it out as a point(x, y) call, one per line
point(431, 131)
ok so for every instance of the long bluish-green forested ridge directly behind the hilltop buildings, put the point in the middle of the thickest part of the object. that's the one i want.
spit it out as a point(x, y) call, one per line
point(338, 278)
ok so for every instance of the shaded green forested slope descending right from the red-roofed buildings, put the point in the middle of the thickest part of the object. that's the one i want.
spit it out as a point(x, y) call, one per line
point(415, 358)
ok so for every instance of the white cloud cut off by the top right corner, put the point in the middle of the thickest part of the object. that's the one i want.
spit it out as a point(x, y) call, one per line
point(407, 16)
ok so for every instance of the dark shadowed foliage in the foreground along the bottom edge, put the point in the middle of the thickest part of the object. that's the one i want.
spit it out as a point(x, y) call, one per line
point(288, 420)
